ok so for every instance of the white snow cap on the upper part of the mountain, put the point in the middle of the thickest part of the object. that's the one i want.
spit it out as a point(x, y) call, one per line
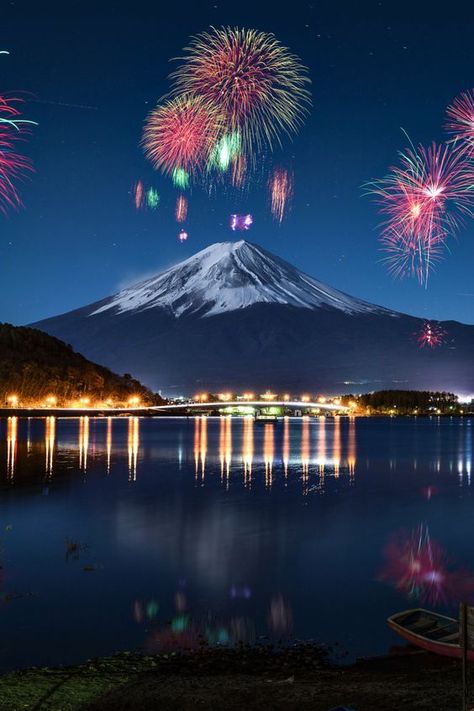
point(228, 276)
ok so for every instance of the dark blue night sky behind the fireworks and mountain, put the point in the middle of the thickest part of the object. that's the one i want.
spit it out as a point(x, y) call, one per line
point(375, 67)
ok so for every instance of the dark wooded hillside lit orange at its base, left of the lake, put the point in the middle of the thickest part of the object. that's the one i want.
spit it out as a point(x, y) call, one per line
point(34, 365)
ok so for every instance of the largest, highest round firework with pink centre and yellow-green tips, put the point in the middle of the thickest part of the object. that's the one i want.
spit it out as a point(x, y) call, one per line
point(253, 80)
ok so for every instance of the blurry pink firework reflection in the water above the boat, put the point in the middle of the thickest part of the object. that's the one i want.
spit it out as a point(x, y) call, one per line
point(419, 568)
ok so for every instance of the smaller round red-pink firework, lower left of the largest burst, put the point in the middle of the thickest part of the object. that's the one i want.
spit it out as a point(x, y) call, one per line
point(179, 135)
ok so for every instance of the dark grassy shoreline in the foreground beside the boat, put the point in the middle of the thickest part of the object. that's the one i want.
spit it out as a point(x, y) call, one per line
point(257, 678)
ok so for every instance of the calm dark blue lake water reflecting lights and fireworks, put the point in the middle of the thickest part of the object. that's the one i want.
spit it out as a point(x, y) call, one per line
point(125, 533)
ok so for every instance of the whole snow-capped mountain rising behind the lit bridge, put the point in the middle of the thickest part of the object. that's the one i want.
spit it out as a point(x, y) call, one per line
point(236, 316)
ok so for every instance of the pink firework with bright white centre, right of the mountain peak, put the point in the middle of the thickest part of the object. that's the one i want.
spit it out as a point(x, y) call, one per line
point(424, 199)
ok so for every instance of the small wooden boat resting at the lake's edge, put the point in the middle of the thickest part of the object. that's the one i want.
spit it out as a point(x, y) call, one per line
point(430, 631)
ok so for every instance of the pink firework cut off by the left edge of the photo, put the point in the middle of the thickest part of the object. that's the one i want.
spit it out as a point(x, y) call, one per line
point(13, 165)
